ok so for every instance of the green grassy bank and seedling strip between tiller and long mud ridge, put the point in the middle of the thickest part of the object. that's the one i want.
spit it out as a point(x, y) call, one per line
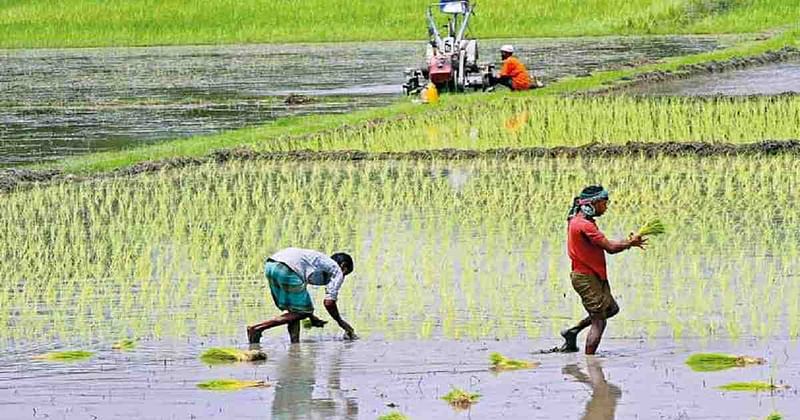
point(491, 115)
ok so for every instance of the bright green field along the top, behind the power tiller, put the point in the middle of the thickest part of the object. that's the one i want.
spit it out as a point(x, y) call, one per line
point(84, 23)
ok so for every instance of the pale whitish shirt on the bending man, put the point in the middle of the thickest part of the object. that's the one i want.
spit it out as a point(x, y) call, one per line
point(314, 268)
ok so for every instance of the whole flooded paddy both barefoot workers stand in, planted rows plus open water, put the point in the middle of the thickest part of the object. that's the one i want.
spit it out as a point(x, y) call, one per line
point(175, 260)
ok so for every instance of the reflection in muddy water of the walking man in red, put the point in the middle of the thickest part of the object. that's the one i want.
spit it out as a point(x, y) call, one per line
point(605, 396)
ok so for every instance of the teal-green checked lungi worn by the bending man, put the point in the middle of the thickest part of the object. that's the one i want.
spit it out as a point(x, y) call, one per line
point(288, 288)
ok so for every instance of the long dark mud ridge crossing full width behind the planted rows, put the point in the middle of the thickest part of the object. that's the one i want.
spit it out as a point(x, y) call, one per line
point(14, 179)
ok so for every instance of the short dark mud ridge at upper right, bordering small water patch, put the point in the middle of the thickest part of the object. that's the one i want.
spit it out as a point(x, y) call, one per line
point(736, 63)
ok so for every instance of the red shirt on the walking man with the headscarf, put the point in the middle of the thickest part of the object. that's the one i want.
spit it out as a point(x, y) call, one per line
point(583, 246)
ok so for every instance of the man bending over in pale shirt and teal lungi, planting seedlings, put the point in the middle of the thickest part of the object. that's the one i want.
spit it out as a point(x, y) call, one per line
point(288, 272)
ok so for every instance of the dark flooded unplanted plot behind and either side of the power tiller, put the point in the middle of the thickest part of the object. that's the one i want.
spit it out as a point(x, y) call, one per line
point(55, 103)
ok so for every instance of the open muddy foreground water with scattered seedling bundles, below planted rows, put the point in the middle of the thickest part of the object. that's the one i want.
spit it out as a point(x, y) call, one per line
point(328, 379)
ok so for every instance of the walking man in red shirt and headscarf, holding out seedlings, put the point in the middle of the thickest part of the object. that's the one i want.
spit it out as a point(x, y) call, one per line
point(587, 248)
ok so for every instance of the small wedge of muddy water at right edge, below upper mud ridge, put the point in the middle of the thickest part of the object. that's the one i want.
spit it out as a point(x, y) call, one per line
point(771, 79)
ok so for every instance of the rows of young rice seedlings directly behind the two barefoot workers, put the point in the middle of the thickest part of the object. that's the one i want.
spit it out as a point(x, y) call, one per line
point(455, 249)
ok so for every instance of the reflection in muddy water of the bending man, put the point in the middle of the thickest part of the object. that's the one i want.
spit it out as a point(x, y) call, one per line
point(297, 384)
